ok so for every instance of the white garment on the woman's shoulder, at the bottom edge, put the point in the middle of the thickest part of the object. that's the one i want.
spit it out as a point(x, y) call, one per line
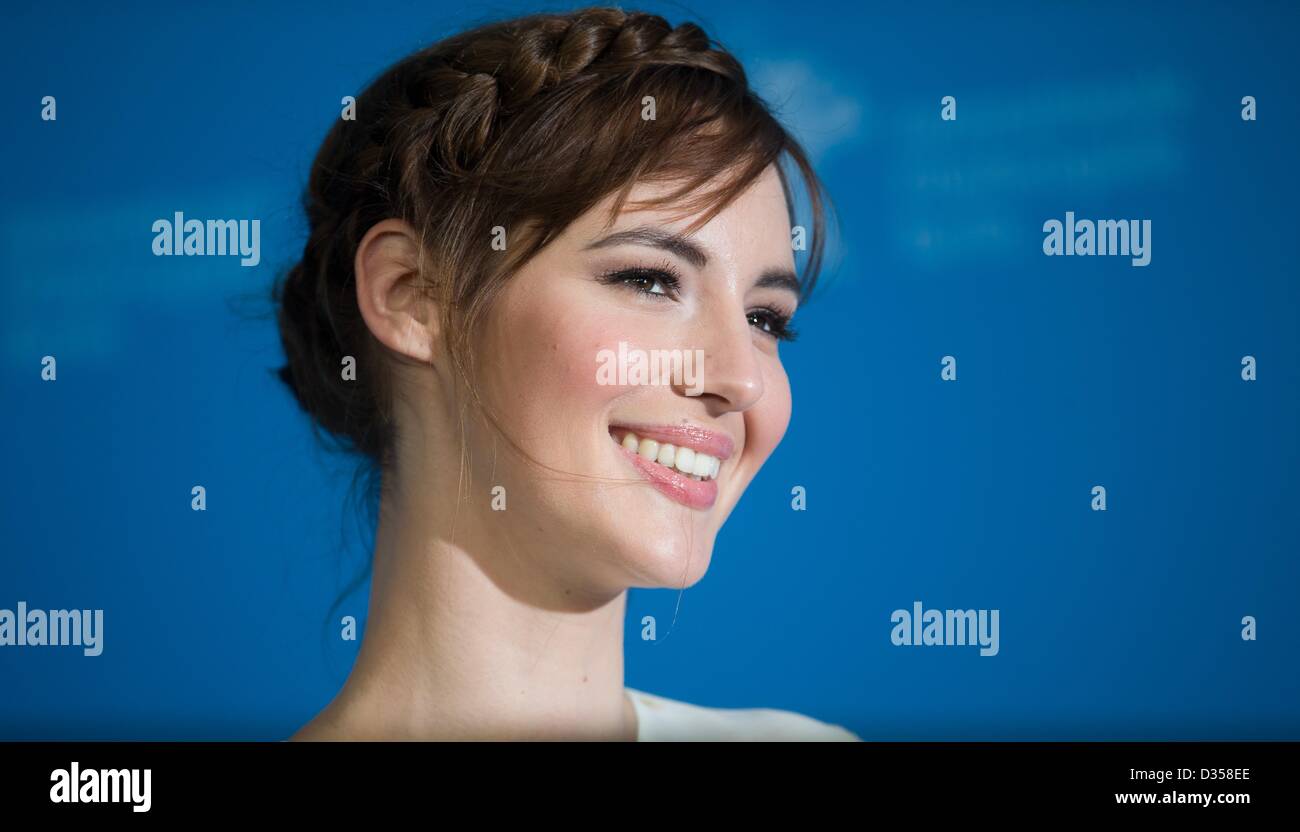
point(661, 720)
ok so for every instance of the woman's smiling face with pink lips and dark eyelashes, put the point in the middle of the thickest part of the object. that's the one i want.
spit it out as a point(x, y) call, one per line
point(561, 363)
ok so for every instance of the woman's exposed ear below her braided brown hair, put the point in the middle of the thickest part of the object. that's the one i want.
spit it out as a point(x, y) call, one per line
point(389, 294)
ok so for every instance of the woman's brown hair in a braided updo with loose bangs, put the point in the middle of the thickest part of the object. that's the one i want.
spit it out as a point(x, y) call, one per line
point(525, 124)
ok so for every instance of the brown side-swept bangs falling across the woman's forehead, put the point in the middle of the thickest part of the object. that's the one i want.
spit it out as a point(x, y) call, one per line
point(707, 136)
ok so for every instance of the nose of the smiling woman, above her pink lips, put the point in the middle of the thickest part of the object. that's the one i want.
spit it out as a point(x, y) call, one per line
point(730, 374)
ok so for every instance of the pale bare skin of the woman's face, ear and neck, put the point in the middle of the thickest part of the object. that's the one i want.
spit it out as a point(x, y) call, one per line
point(510, 625)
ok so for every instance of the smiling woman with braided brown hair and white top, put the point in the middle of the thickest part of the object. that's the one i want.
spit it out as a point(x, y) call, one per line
point(510, 210)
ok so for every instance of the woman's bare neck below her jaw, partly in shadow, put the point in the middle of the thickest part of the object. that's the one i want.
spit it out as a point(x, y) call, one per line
point(476, 639)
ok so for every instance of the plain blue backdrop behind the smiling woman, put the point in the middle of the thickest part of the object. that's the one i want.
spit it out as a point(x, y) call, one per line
point(977, 493)
